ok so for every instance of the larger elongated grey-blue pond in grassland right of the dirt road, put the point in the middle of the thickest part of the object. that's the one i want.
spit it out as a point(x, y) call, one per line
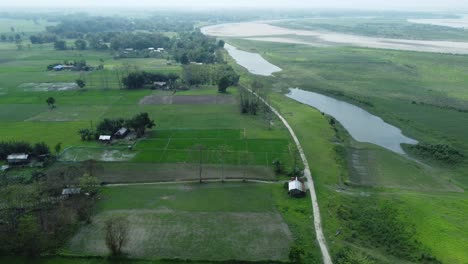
point(360, 124)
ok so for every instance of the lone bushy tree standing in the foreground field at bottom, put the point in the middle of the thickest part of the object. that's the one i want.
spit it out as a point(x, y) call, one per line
point(116, 231)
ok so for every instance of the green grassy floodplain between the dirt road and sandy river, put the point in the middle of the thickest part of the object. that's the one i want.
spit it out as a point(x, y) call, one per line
point(386, 83)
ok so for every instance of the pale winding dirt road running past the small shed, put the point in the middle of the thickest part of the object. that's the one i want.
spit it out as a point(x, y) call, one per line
point(310, 184)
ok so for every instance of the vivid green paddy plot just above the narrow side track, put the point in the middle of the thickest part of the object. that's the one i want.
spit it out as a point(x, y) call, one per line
point(219, 146)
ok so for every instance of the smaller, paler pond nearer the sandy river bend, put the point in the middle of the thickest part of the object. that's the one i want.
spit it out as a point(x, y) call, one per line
point(253, 62)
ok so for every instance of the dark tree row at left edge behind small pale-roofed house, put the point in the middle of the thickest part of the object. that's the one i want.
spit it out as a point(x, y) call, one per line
point(40, 150)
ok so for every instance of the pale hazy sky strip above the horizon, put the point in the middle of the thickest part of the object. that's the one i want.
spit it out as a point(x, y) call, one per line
point(355, 4)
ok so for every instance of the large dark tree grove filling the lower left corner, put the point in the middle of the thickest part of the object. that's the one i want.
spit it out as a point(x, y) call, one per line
point(35, 220)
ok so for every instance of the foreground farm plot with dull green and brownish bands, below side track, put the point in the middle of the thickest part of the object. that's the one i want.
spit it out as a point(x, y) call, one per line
point(198, 222)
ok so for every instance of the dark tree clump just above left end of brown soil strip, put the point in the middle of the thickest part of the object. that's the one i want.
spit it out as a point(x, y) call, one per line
point(138, 79)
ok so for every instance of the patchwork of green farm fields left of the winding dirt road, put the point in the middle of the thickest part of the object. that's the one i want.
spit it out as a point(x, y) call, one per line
point(201, 222)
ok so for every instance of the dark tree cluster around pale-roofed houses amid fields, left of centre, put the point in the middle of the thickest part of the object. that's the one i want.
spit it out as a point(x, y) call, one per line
point(139, 123)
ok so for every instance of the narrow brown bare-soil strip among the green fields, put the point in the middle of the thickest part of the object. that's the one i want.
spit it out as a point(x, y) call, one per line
point(187, 99)
